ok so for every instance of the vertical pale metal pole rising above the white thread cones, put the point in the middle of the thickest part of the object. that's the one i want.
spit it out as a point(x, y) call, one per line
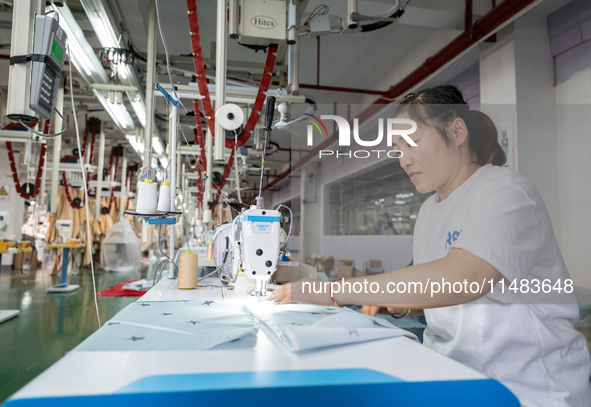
point(150, 79)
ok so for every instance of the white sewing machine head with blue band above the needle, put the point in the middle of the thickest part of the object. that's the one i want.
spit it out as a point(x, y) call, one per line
point(255, 238)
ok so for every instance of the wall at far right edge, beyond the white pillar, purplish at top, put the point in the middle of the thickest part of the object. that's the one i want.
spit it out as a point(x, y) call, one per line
point(570, 30)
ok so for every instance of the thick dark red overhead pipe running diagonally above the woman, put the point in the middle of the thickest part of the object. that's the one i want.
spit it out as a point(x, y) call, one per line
point(489, 24)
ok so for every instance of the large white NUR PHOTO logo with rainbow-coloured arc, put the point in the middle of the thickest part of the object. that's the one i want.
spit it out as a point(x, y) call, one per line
point(393, 127)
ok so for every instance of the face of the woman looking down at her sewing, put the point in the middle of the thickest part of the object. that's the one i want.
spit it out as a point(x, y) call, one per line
point(432, 164)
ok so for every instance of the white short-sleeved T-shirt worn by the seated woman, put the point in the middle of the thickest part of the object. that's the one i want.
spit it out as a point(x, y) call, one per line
point(526, 342)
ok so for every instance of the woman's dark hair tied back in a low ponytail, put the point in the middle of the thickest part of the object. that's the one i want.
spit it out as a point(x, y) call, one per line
point(439, 106)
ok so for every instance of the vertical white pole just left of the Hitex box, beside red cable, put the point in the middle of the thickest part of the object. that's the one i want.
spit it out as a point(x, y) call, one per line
point(220, 78)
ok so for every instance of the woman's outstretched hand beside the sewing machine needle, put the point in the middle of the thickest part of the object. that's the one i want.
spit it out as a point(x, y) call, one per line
point(303, 291)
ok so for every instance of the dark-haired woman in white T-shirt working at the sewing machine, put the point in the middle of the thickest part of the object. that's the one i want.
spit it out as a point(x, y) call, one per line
point(511, 312)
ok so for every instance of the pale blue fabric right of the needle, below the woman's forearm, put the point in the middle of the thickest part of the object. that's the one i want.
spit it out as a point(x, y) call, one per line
point(305, 327)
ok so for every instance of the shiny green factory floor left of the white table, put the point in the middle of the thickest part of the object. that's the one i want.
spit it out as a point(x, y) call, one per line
point(49, 325)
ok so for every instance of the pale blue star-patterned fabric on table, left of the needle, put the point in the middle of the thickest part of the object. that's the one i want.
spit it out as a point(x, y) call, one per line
point(174, 325)
